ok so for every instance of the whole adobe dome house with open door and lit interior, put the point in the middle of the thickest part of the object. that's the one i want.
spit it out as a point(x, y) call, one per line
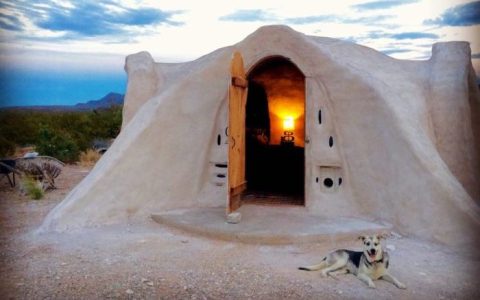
point(329, 127)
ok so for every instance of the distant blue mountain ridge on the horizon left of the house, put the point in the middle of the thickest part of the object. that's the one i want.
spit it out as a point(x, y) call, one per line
point(111, 99)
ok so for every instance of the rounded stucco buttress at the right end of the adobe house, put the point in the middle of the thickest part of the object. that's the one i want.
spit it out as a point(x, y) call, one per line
point(449, 99)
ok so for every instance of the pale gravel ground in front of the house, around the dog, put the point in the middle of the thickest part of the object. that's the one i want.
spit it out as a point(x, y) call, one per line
point(148, 261)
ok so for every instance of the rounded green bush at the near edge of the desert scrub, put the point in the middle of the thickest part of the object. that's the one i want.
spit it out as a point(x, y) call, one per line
point(57, 143)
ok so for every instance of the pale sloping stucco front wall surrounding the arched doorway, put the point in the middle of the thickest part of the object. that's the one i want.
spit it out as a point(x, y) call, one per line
point(380, 117)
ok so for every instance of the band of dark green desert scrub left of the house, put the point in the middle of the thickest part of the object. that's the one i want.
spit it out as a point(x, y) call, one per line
point(62, 134)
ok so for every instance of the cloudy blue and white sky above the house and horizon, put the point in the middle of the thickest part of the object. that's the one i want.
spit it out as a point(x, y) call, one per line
point(55, 52)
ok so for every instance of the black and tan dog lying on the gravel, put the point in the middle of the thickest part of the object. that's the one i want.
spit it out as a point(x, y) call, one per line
point(368, 265)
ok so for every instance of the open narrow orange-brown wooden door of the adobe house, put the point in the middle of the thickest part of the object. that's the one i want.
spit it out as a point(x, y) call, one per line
point(236, 132)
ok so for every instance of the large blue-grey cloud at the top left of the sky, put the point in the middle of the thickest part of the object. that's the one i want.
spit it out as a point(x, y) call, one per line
point(92, 18)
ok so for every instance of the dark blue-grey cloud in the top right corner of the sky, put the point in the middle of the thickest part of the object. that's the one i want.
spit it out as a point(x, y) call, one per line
point(460, 15)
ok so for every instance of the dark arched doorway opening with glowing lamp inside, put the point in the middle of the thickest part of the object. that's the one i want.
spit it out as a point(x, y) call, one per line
point(275, 168)
